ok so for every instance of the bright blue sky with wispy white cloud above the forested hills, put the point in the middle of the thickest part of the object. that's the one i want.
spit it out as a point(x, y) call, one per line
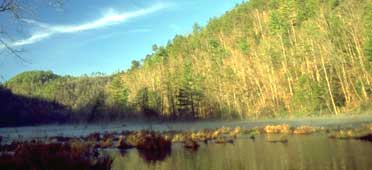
point(89, 36)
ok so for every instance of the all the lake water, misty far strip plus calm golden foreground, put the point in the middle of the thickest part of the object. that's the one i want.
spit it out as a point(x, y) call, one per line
point(311, 152)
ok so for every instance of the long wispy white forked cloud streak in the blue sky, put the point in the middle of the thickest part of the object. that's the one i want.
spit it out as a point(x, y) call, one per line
point(111, 17)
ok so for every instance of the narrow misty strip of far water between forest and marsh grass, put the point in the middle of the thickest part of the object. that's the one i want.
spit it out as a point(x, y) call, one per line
point(43, 131)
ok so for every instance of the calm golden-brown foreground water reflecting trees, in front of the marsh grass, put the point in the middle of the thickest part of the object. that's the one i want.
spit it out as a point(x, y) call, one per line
point(300, 153)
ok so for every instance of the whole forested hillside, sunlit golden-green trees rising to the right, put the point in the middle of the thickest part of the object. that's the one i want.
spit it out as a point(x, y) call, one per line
point(262, 59)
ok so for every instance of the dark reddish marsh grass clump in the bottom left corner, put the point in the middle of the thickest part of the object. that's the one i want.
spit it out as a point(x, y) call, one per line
point(53, 156)
